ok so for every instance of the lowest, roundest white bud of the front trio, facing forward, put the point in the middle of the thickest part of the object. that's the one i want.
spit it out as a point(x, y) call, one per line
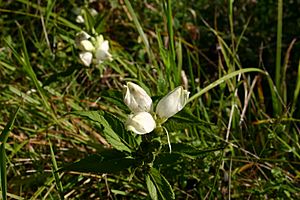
point(140, 123)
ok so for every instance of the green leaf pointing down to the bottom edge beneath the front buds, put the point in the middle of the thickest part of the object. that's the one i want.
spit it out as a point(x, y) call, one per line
point(163, 187)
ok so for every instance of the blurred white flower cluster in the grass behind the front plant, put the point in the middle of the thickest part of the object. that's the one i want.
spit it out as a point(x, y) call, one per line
point(93, 49)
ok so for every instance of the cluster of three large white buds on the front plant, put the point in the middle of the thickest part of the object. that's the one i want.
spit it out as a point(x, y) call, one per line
point(143, 120)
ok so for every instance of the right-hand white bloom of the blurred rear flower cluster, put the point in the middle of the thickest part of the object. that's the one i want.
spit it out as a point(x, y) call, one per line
point(102, 47)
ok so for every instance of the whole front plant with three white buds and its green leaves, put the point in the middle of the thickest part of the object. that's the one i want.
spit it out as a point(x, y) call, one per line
point(131, 152)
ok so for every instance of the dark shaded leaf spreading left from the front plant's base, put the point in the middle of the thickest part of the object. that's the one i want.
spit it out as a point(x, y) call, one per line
point(108, 161)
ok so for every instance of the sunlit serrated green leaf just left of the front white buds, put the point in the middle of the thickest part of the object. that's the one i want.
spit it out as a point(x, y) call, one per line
point(111, 136)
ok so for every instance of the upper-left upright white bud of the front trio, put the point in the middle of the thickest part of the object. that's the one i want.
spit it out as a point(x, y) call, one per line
point(136, 98)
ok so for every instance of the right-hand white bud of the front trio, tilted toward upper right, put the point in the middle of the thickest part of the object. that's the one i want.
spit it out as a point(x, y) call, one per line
point(172, 103)
